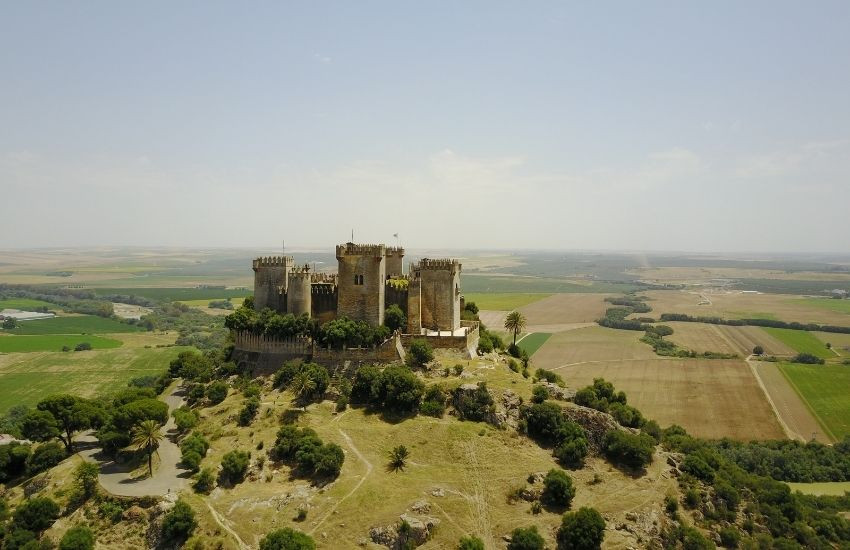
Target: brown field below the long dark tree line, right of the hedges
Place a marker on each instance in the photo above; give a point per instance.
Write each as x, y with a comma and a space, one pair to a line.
702, 337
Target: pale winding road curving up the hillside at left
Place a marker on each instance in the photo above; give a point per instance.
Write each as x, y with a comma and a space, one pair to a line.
167, 477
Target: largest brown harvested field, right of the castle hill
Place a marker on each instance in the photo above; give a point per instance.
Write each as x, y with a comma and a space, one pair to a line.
709, 398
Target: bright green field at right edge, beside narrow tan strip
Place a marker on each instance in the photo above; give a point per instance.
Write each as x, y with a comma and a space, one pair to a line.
826, 391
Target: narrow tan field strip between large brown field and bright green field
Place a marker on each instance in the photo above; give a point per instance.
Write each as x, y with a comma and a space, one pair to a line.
787, 403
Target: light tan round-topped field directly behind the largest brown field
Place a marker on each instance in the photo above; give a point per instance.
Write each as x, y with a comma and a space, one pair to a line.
591, 344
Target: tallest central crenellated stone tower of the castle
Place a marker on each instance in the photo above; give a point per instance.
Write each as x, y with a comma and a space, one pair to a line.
361, 281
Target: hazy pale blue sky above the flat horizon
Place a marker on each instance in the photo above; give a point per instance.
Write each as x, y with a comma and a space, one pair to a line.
705, 126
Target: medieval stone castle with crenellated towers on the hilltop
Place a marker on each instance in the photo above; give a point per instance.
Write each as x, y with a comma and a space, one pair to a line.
369, 278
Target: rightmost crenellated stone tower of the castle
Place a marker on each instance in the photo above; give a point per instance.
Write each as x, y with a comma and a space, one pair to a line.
439, 294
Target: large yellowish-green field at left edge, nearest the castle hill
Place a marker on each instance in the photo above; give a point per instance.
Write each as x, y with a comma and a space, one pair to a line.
88, 374
